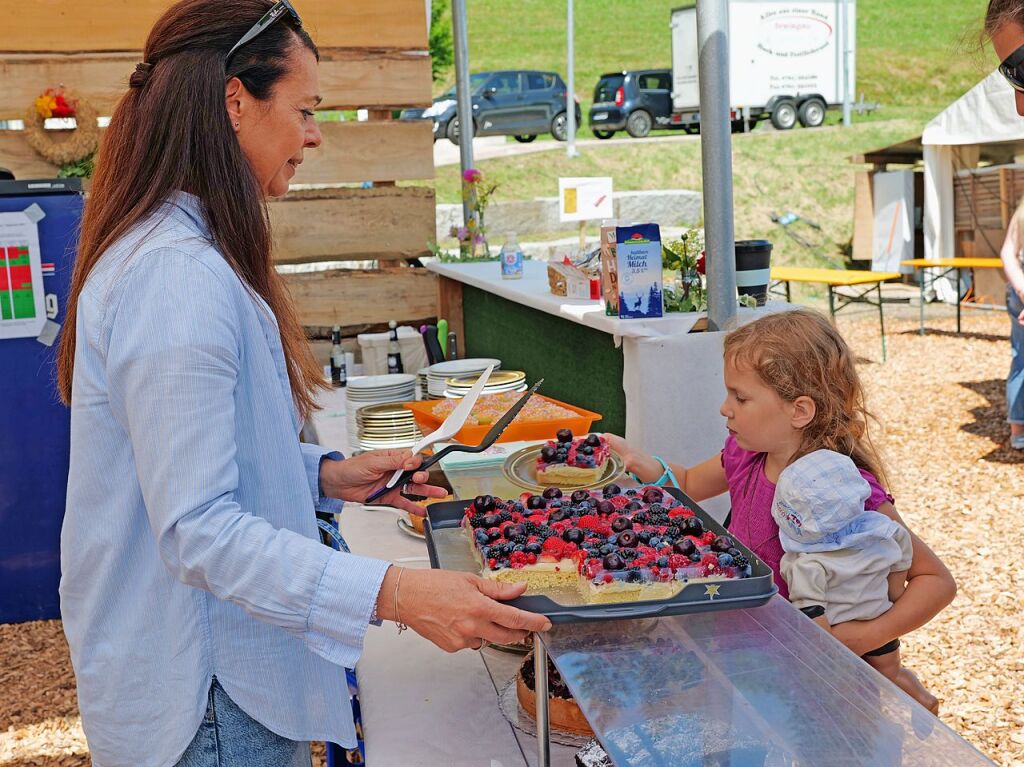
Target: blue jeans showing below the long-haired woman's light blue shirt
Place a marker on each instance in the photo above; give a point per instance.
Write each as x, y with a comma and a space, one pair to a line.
230, 738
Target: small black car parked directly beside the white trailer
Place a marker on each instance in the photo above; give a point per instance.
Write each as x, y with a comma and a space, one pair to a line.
635, 101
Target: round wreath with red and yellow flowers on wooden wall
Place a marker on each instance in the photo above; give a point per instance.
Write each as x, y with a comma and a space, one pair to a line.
62, 147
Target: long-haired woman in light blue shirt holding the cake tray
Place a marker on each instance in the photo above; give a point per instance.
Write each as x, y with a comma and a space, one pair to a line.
205, 620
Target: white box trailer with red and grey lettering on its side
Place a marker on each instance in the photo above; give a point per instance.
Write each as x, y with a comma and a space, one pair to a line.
786, 62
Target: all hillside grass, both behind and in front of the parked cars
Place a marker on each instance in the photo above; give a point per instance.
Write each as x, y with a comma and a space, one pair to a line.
914, 57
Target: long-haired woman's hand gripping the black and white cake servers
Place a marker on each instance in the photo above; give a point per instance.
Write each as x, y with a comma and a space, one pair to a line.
356, 479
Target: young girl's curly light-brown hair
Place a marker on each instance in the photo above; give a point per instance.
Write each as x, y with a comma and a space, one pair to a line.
801, 354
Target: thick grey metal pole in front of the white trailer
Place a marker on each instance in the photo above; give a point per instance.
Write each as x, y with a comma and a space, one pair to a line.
716, 160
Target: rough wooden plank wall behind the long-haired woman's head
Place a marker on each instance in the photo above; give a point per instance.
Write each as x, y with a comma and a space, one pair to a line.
373, 56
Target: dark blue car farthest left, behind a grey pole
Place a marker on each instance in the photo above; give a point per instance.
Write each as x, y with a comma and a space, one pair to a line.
515, 103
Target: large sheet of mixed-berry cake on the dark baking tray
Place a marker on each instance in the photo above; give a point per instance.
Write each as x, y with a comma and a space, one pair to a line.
608, 545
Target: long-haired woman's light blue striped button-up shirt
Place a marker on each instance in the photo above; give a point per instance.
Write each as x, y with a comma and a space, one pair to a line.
190, 546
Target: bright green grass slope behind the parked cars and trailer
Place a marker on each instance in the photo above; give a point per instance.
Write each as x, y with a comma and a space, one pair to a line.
910, 53
